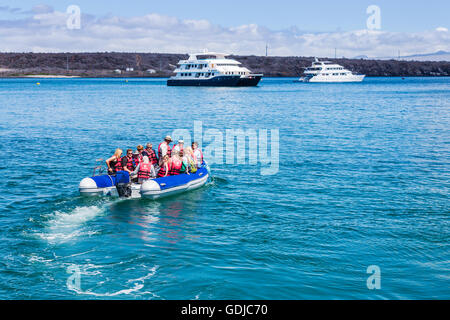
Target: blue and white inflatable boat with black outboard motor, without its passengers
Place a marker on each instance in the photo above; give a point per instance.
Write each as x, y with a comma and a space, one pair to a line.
119, 185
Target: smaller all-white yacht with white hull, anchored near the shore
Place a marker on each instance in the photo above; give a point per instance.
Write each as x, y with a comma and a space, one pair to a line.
326, 71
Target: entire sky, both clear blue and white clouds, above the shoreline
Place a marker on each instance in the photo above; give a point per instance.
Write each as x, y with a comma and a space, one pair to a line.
241, 27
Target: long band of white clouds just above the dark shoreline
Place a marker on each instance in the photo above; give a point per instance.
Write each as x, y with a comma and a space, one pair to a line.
44, 29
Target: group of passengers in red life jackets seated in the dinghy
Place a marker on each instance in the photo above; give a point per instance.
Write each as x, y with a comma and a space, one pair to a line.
144, 164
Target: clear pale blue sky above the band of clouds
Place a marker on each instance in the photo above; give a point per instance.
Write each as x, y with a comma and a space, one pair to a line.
323, 15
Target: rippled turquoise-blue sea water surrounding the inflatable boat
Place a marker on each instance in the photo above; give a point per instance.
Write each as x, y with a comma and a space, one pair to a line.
363, 180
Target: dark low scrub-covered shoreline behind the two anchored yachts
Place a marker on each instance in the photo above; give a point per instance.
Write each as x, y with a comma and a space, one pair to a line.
114, 64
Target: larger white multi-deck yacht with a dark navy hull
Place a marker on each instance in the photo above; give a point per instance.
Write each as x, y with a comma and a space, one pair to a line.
212, 69
